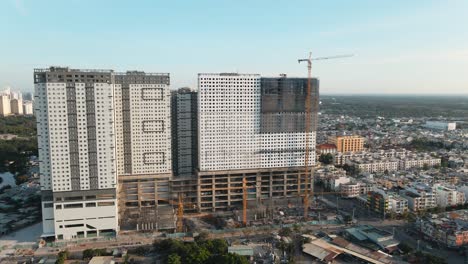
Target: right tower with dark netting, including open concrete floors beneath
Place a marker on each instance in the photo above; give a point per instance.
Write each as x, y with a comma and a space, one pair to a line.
254, 128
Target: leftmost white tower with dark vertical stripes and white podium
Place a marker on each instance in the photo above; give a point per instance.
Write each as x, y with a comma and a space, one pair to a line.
76, 139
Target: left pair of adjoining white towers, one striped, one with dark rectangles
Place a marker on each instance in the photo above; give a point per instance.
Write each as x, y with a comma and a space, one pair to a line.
100, 133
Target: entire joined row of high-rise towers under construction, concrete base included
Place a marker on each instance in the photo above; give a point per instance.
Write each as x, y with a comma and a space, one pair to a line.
115, 156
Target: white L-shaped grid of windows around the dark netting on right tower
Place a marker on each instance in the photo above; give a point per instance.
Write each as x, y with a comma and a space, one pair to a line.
230, 131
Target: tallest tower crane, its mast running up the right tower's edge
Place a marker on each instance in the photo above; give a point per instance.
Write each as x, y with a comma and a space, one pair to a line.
308, 117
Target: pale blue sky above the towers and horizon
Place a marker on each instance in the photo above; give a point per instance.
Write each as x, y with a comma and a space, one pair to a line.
401, 46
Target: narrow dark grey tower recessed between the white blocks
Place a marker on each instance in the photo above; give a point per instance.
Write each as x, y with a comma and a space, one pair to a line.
184, 127
